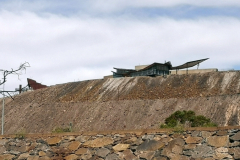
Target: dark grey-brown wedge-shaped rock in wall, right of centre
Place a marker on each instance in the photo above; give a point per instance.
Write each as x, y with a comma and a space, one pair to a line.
150, 145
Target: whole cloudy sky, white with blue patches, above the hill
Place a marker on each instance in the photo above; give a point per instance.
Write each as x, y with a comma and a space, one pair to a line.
76, 40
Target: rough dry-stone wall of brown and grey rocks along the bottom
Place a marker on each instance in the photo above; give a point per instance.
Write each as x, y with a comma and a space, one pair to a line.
192, 144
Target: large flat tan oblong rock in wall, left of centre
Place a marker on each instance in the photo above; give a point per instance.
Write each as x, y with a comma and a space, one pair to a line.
98, 142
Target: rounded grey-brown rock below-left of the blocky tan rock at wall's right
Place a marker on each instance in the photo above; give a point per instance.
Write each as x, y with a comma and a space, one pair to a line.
202, 151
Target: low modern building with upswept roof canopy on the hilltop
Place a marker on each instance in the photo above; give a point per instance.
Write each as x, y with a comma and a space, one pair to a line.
155, 69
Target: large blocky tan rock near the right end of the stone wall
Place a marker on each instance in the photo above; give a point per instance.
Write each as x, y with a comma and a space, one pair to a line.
218, 141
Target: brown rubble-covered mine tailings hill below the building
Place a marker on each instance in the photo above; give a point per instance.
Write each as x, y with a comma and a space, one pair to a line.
125, 103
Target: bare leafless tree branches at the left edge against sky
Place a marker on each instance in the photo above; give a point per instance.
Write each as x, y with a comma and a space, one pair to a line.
17, 72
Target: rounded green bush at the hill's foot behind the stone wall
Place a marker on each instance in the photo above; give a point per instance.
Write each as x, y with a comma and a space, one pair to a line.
183, 117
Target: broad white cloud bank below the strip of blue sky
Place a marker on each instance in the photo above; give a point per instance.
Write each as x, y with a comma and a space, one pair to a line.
62, 49
